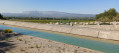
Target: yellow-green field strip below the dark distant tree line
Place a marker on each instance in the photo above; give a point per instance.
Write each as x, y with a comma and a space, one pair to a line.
51, 21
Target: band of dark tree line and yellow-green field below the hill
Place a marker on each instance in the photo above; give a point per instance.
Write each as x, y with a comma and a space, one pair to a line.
51, 19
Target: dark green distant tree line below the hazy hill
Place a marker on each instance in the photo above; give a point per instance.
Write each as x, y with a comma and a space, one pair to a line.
49, 18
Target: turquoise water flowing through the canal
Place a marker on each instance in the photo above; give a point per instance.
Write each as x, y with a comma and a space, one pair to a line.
82, 42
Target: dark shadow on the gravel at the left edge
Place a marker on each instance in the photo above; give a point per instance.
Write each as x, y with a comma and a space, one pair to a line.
7, 45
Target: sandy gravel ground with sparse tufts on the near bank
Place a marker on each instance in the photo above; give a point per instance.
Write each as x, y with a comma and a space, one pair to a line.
29, 44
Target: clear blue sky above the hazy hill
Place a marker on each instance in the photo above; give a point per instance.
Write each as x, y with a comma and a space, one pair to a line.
71, 6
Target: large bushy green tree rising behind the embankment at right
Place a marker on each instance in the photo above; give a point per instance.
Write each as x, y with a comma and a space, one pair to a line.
107, 15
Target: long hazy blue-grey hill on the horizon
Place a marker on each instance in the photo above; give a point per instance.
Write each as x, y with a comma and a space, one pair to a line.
46, 14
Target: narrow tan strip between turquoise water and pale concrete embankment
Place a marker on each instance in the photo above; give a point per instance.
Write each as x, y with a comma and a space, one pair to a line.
69, 34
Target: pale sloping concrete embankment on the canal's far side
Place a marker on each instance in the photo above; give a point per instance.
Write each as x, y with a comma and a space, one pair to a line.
93, 31
